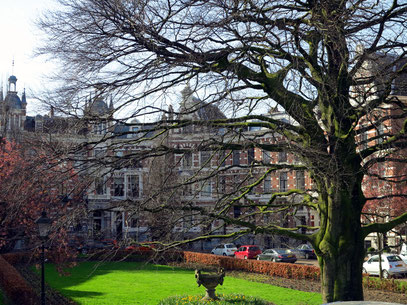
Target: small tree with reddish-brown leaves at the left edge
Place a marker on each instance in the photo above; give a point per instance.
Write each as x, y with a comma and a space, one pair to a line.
28, 187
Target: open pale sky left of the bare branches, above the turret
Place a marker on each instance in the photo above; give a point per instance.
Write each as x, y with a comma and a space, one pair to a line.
18, 38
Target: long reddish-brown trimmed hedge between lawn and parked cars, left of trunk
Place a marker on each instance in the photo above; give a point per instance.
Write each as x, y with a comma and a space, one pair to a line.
274, 269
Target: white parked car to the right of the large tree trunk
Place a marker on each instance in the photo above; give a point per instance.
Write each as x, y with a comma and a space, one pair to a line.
392, 266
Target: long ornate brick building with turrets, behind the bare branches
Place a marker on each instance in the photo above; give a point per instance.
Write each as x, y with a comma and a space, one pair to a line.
114, 191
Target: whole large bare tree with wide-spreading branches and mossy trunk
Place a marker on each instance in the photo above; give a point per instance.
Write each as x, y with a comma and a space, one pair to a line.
336, 68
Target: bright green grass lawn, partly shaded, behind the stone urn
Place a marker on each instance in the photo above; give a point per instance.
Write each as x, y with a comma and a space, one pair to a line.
128, 283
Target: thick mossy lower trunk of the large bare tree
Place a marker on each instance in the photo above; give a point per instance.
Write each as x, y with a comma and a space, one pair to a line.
340, 244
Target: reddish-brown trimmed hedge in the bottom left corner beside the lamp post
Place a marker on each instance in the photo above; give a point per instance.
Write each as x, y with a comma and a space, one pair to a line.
15, 286
